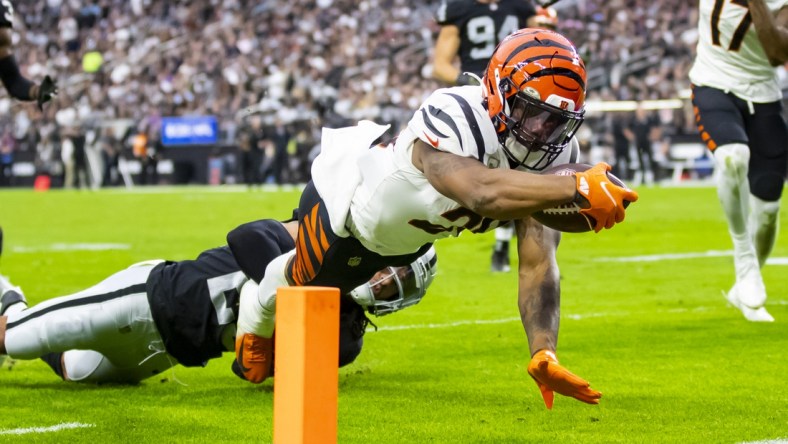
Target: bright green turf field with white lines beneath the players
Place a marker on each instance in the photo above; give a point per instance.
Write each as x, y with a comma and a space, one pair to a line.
675, 363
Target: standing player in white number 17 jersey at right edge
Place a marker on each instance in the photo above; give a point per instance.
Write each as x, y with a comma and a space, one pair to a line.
739, 114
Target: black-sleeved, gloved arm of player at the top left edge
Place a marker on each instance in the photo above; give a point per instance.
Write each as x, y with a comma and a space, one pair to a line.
17, 85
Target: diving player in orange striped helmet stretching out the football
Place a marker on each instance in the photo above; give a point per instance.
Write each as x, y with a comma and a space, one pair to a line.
461, 164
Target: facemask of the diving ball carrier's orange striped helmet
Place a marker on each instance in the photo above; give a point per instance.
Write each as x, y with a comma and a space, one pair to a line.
536, 131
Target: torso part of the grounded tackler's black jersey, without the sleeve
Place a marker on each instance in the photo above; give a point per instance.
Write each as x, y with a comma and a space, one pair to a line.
192, 302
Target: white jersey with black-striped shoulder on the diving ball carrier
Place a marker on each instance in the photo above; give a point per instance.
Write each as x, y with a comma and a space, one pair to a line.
394, 209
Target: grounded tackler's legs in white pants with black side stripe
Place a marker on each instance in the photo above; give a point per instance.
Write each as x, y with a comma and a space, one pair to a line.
110, 324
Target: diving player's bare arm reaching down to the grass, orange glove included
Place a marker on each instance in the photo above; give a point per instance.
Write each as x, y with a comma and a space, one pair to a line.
539, 304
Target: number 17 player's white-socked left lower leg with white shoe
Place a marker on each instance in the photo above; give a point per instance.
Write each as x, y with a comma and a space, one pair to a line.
733, 190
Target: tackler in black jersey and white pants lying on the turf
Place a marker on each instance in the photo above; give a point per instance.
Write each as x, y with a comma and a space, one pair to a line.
154, 315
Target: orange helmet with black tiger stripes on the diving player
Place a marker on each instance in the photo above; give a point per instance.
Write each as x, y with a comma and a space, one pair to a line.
535, 90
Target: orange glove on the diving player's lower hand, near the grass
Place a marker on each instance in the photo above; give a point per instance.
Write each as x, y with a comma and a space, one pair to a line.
551, 377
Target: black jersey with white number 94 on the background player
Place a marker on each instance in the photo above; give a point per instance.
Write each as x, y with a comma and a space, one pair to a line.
482, 26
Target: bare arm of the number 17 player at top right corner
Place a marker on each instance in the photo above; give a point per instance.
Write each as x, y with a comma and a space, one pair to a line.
772, 31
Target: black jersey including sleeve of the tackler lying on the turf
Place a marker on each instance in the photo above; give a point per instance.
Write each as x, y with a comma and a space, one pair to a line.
192, 302
